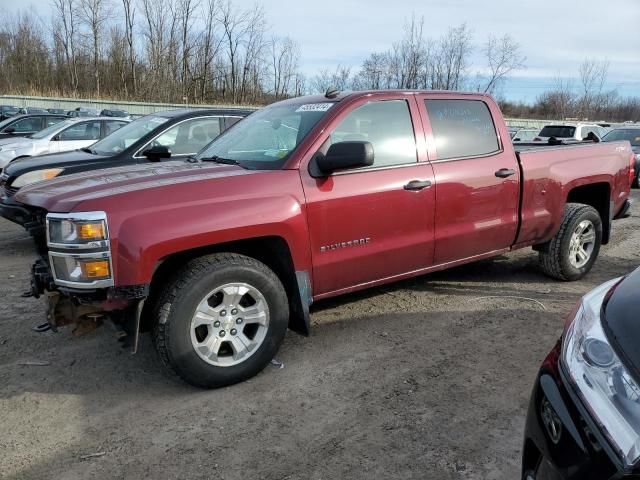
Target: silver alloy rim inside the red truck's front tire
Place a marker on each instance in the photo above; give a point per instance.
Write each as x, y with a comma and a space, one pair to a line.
229, 324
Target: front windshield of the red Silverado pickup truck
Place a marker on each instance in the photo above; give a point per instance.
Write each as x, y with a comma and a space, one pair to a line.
266, 138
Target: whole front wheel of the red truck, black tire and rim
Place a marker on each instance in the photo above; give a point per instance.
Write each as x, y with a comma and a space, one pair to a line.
221, 320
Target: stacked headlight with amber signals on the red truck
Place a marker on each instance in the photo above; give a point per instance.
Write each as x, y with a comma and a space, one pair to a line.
79, 249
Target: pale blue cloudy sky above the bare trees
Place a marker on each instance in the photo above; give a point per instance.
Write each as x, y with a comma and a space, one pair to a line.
555, 36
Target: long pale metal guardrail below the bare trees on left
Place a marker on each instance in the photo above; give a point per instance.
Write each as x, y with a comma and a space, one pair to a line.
138, 108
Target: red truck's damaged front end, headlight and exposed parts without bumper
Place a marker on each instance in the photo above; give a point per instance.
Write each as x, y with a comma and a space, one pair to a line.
75, 277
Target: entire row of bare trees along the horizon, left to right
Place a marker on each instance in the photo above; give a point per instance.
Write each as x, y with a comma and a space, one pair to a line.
210, 51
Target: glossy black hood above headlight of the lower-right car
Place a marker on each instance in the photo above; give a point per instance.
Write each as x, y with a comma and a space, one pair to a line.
621, 320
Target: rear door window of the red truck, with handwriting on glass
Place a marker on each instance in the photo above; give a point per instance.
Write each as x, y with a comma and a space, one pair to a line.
462, 128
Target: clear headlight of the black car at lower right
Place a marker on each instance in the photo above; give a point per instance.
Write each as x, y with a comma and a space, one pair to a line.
607, 389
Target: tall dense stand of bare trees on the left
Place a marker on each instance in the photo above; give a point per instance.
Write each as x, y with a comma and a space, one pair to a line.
196, 51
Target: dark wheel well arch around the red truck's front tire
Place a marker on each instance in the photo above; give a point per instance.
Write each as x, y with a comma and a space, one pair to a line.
273, 251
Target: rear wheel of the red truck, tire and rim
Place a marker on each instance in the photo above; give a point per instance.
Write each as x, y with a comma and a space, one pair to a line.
572, 252
